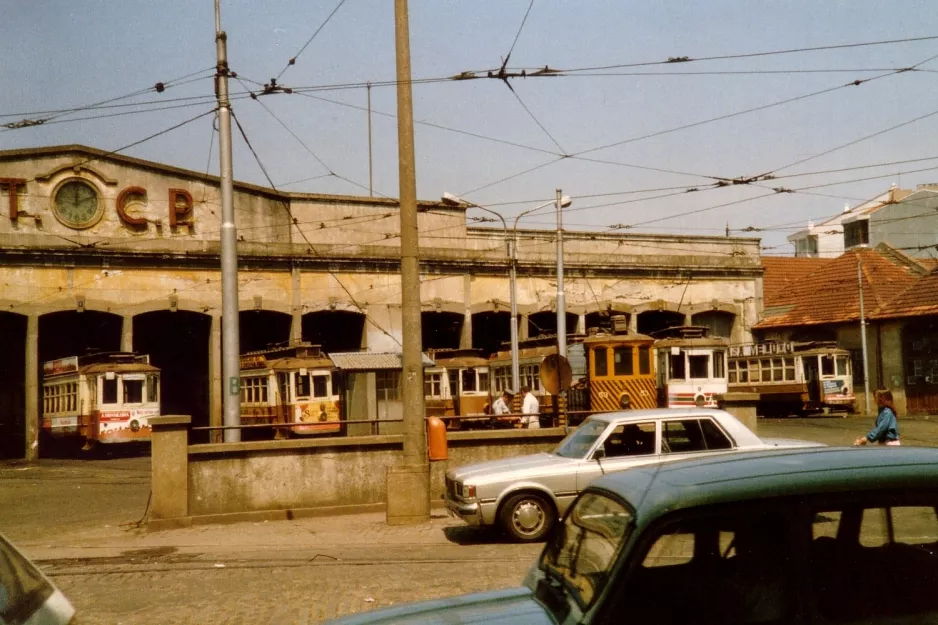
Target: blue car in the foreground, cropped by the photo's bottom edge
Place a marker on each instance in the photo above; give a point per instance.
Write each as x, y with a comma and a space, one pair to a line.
825, 535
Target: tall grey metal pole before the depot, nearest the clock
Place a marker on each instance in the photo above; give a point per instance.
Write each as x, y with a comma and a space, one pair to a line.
231, 374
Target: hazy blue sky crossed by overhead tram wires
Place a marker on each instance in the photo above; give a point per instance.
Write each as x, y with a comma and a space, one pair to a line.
57, 54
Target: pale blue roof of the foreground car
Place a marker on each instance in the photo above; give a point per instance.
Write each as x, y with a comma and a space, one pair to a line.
659, 489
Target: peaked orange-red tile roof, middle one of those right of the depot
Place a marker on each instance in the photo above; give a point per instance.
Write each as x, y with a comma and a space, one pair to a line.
831, 293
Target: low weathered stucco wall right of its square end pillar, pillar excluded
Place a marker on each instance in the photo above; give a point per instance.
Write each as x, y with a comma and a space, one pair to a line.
326, 473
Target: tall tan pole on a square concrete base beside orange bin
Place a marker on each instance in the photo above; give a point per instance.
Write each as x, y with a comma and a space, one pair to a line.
409, 484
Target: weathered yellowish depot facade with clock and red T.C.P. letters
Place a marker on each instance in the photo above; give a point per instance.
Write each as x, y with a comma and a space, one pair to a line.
106, 252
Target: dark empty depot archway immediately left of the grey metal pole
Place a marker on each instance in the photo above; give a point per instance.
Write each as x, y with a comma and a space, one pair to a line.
178, 343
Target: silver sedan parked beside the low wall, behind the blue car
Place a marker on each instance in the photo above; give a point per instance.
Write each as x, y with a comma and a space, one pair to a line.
528, 494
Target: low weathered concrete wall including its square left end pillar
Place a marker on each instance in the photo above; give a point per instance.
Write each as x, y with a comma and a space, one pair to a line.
257, 479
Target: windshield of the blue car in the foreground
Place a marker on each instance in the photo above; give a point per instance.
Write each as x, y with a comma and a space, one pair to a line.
582, 552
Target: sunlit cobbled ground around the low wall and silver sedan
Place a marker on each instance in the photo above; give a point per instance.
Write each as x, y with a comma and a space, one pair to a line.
76, 519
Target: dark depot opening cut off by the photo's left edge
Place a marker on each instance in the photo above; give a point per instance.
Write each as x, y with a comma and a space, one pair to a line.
13, 386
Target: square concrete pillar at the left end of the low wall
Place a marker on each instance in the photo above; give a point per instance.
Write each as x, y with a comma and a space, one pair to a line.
169, 453
